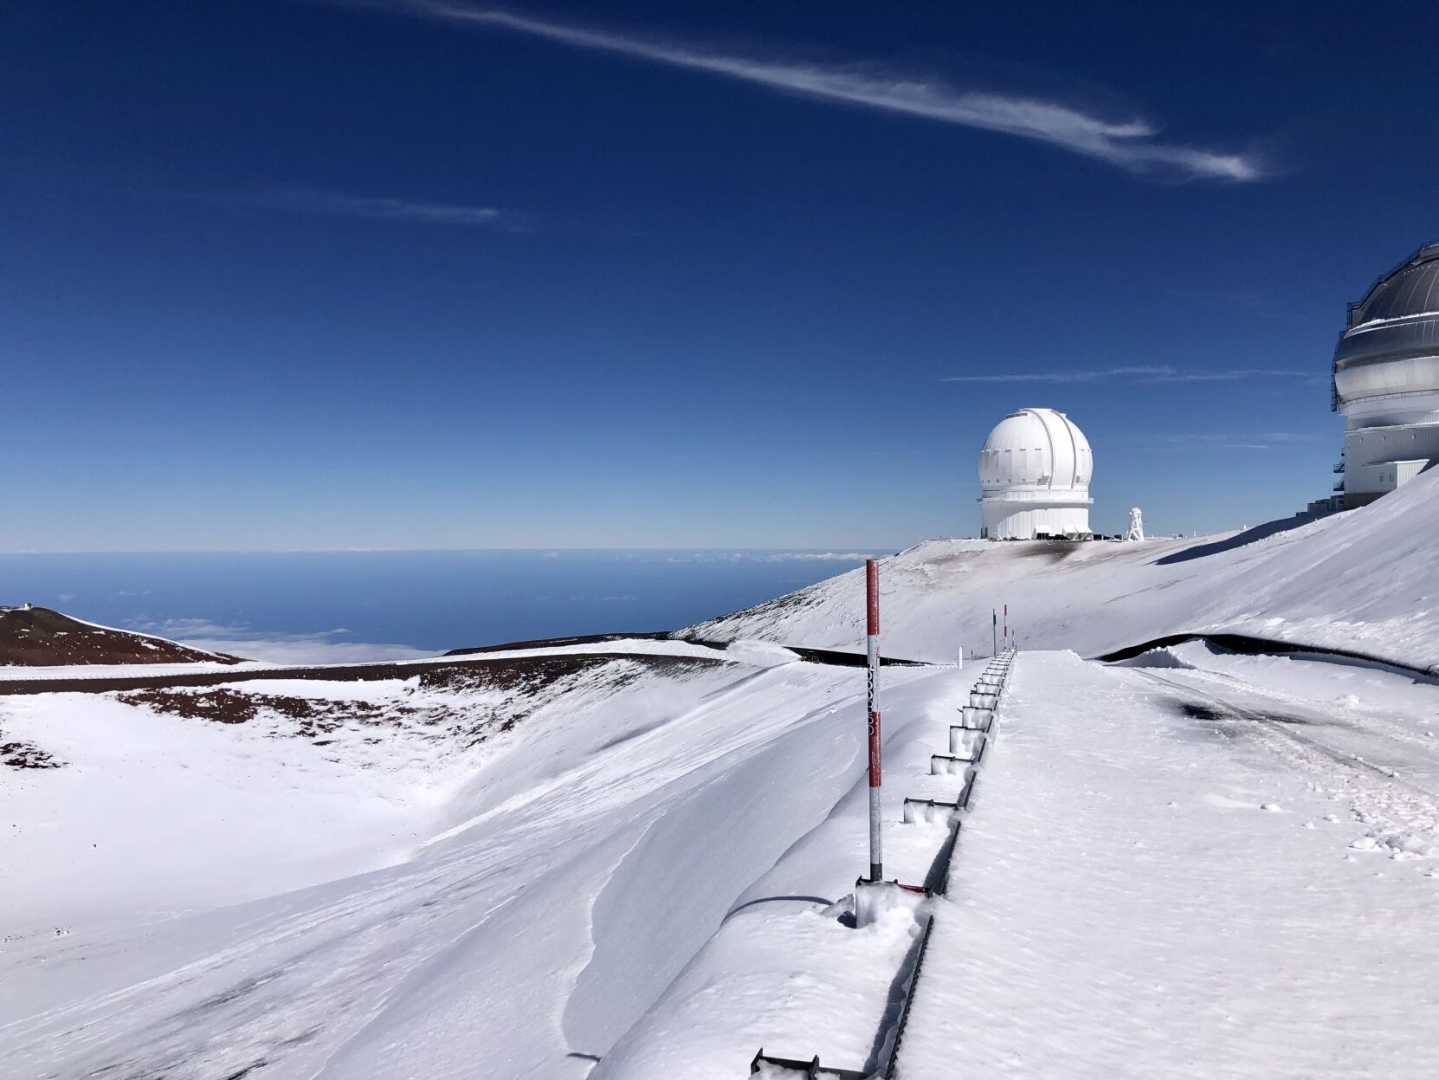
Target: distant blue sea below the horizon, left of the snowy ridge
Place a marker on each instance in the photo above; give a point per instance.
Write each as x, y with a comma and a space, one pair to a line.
356, 606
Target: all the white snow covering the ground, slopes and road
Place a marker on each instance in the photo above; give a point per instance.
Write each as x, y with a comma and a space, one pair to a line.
1192, 864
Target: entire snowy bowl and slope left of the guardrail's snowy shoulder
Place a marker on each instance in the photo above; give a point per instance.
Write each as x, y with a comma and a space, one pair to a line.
337, 879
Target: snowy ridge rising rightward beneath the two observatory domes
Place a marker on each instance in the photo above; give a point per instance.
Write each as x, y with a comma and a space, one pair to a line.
1362, 582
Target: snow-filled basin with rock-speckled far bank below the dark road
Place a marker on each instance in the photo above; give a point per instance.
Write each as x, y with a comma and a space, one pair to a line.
188, 797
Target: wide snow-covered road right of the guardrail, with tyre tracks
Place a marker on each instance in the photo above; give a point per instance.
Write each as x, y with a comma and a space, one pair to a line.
1148, 888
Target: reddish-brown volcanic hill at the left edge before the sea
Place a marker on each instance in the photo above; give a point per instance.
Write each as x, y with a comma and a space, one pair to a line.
41, 638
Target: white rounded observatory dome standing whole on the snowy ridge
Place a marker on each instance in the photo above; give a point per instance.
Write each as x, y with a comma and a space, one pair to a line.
1035, 472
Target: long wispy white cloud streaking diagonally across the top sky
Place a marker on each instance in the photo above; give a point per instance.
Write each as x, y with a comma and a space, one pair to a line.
1129, 143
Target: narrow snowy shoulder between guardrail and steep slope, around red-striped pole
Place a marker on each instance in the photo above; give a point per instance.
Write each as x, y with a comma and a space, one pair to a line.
789, 971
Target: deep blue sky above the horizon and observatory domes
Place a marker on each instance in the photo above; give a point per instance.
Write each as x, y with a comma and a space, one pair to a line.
407, 275
